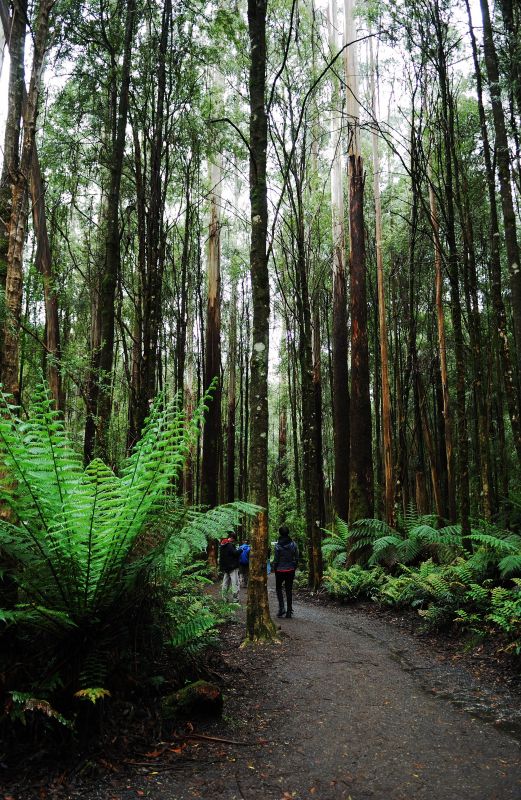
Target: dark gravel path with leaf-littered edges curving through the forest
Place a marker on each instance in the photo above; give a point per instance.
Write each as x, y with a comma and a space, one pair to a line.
348, 705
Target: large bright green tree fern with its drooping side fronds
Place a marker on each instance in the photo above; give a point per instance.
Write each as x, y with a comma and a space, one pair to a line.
88, 549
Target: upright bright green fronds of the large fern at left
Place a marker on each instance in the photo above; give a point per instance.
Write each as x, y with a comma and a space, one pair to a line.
74, 545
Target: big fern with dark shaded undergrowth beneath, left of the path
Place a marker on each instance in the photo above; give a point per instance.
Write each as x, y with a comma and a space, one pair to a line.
102, 576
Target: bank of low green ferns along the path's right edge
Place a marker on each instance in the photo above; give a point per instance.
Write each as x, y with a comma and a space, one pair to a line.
471, 584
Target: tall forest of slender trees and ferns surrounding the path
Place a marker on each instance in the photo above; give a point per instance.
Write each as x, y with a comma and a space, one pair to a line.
259, 266
